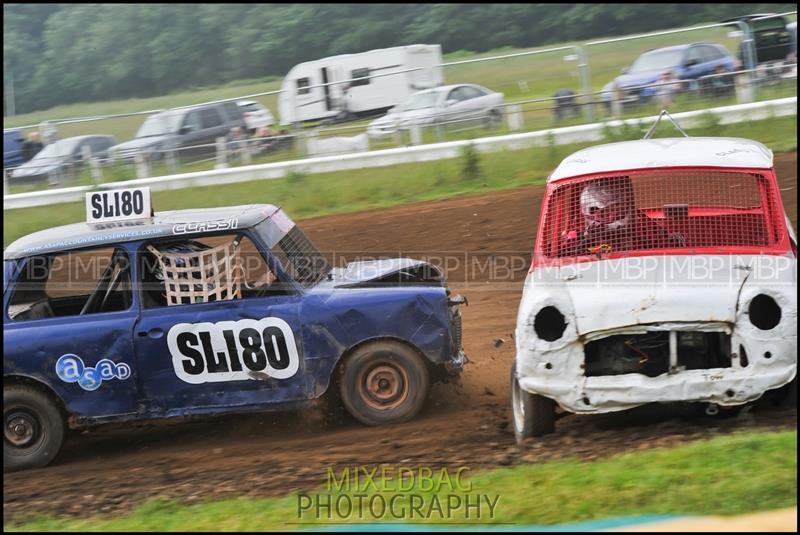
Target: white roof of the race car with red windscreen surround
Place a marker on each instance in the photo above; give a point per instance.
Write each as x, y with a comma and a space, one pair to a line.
665, 152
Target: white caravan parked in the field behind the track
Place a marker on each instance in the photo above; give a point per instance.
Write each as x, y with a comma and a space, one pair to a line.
370, 92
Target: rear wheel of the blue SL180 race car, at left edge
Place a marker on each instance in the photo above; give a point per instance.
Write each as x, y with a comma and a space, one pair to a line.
33, 428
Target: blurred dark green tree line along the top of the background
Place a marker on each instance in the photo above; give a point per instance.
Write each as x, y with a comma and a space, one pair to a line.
64, 53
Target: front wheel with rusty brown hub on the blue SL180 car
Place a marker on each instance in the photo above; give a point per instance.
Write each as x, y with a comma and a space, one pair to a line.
384, 382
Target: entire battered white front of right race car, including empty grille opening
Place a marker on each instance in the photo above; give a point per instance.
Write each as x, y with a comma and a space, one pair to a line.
598, 343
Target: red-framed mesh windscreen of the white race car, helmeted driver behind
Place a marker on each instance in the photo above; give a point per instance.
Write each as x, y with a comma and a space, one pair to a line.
659, 210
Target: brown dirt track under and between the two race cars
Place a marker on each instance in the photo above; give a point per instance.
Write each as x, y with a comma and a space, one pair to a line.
110, 469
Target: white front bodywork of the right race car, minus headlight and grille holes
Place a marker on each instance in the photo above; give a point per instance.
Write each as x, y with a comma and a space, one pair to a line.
635, 295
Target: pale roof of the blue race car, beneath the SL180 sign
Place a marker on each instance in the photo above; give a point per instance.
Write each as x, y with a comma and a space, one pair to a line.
162, 224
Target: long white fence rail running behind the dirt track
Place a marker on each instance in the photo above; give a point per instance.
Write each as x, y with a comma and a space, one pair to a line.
421, 153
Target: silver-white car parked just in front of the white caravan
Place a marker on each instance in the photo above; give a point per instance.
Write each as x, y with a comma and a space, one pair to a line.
449, 103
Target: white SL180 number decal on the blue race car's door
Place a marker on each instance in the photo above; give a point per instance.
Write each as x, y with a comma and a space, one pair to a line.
233, 350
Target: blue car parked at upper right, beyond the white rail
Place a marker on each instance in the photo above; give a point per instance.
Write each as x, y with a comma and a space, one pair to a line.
685, 62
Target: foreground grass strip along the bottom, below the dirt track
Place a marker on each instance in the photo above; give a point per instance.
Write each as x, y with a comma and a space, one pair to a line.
726, 475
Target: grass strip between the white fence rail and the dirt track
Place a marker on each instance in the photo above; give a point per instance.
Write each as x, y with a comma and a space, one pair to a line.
305, 196
